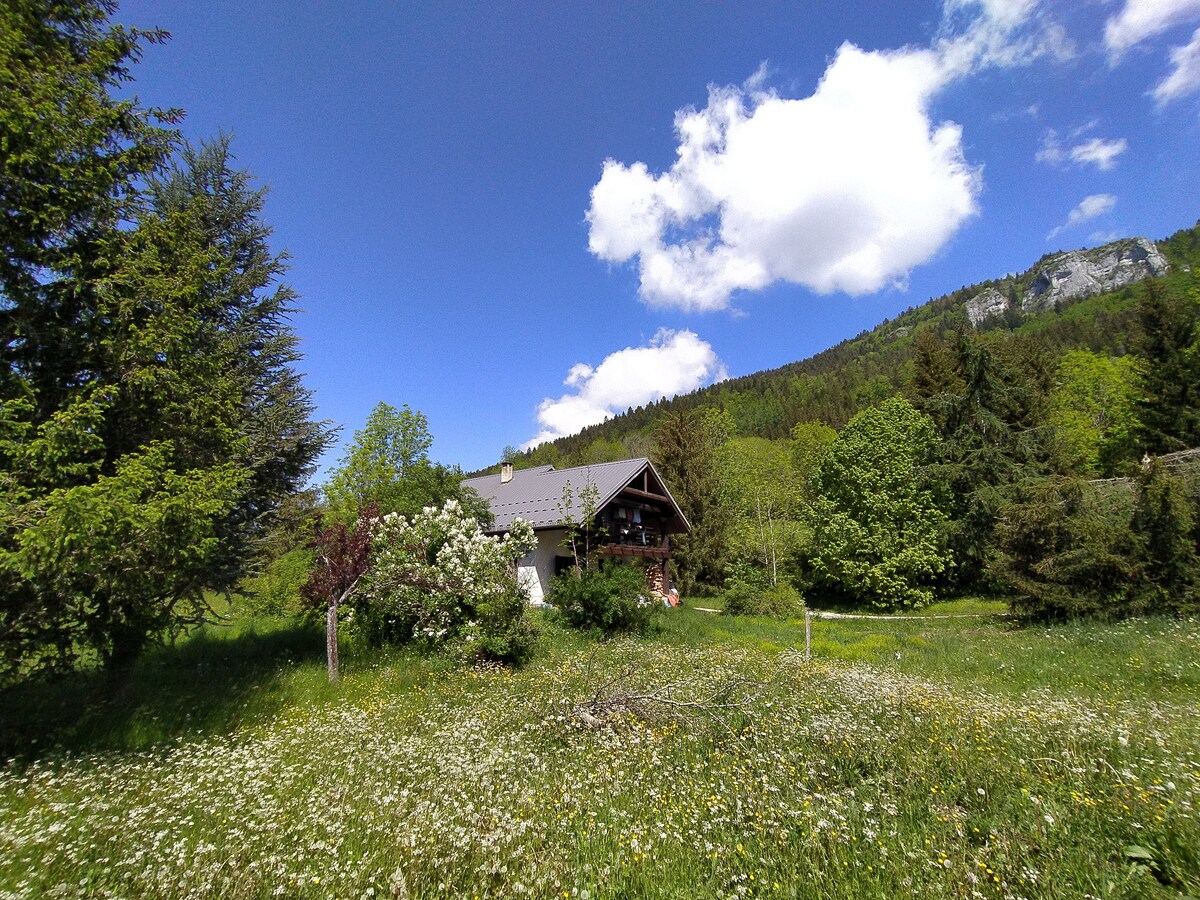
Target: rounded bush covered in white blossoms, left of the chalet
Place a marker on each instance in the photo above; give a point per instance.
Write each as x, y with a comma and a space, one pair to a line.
437, 578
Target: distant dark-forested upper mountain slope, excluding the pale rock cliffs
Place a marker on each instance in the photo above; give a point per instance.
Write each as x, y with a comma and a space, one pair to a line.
863, 370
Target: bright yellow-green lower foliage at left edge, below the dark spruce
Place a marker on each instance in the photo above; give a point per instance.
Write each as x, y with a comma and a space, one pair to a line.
101, 569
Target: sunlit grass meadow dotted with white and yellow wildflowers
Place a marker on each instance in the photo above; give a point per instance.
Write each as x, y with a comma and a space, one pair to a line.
909, 758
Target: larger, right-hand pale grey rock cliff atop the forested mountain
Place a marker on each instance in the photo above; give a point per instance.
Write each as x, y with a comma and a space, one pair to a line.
1083, 273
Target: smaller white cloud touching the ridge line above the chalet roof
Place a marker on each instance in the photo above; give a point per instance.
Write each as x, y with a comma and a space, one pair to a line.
673, 363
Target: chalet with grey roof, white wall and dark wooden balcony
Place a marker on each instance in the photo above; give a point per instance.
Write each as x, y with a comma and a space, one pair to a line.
635, 518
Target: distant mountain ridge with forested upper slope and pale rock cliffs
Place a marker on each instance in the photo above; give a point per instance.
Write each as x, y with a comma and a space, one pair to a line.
1078, 298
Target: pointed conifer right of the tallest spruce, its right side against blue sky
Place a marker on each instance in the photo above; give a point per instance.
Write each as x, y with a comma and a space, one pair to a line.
217, 373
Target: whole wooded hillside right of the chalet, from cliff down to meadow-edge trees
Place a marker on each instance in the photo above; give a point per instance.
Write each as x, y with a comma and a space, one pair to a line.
1034, 436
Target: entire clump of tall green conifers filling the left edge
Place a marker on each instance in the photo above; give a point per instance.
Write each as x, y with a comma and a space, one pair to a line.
151, 416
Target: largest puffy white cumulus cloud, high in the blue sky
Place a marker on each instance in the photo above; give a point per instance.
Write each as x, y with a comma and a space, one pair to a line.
845, 190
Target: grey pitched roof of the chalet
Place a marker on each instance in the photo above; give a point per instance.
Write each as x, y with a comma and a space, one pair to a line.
537, 495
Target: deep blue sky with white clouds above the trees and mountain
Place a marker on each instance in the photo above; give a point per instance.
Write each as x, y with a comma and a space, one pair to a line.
517, 218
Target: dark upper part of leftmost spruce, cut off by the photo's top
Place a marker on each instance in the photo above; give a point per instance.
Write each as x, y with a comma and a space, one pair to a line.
70, 159
